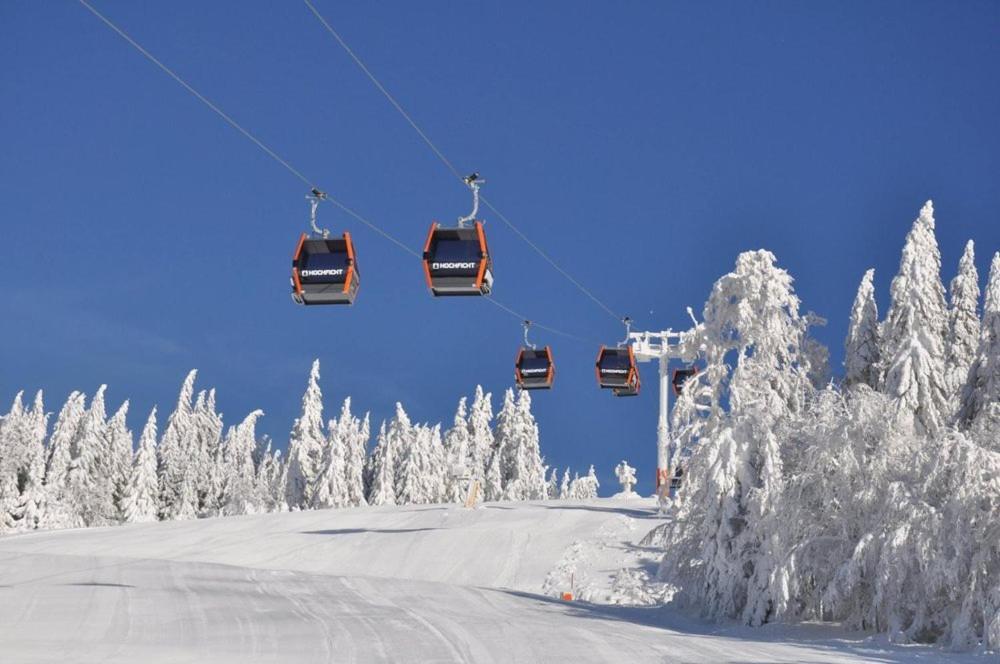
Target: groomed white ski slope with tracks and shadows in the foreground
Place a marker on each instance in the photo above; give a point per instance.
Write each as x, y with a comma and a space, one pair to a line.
426, 583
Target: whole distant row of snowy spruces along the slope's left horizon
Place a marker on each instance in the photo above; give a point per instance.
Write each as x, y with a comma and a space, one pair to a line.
88, 472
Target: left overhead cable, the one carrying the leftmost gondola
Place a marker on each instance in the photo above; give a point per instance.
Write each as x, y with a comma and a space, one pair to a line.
276, 157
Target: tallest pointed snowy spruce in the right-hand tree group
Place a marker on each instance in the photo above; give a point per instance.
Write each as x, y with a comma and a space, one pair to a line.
914, 333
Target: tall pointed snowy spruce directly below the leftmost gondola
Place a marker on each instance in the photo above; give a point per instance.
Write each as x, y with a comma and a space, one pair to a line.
305, 448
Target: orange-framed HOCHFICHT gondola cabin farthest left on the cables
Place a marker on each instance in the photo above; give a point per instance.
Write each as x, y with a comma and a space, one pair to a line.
324, 271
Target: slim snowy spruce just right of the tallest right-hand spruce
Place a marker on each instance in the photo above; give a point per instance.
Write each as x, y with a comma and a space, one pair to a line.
963, 324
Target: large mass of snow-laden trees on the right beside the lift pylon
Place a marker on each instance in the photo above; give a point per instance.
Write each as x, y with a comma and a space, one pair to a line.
875, 502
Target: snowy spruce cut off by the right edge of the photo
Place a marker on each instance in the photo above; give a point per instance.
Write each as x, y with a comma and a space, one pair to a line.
981, 395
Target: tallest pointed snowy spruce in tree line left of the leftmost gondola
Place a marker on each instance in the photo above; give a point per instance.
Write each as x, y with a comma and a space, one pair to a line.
178, 491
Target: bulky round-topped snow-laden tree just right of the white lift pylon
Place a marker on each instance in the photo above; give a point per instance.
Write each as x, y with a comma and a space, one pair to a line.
727, 537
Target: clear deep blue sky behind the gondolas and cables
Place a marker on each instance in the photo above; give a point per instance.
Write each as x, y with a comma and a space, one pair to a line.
642, 144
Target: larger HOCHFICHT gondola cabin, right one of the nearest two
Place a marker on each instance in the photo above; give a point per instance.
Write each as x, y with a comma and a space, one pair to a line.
457, 261
